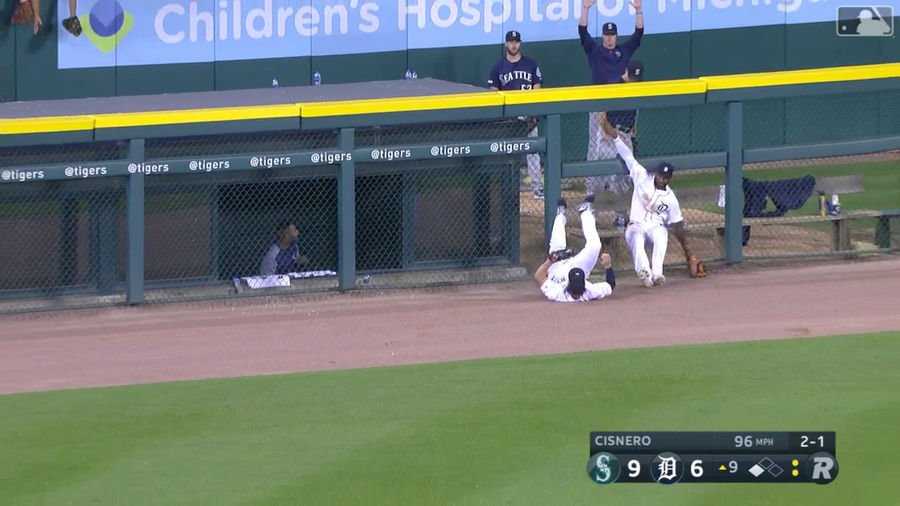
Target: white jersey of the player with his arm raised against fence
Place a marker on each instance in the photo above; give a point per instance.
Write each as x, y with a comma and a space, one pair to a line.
649, 205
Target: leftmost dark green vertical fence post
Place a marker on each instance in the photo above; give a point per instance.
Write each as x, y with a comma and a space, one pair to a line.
134, 227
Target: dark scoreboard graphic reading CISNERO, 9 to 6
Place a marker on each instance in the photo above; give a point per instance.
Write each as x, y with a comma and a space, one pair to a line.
712, 457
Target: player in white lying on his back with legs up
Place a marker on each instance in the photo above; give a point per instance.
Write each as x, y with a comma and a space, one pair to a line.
562, 276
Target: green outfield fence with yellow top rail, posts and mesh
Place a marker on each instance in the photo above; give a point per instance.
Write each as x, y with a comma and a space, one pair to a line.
174, 205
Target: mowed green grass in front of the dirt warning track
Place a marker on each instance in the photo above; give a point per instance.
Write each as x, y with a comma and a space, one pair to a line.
507, 431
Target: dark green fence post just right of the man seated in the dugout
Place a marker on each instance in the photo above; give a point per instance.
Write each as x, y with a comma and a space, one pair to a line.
346, 213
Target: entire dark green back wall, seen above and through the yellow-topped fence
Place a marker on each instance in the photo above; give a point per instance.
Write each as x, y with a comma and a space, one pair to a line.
28, 72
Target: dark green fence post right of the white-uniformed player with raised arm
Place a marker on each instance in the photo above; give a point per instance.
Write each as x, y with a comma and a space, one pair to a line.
734, 186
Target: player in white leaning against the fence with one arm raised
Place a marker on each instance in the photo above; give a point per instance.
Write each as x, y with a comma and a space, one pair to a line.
654, 209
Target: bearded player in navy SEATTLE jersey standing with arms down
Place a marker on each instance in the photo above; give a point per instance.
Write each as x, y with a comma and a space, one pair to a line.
516, 71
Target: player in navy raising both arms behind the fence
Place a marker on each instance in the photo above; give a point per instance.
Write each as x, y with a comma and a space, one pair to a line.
608, 62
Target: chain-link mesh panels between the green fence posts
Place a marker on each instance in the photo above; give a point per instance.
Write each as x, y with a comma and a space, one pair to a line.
430, 208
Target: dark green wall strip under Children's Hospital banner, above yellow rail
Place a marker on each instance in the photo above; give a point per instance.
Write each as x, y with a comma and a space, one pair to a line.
28, 62
